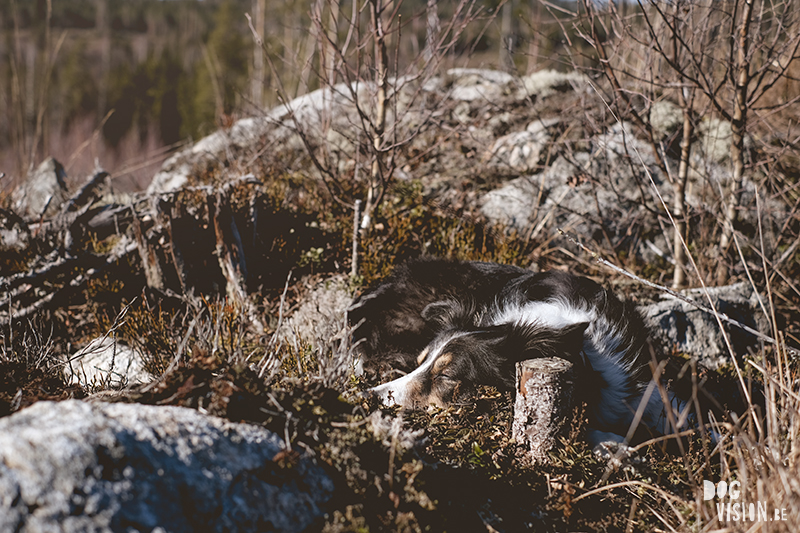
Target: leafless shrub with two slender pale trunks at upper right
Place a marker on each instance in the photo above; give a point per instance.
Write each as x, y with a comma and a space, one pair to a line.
710, 60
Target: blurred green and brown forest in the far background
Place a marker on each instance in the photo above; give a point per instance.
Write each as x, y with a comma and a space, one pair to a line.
126, 82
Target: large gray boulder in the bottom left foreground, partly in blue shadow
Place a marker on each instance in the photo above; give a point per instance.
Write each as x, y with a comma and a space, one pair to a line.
77, 466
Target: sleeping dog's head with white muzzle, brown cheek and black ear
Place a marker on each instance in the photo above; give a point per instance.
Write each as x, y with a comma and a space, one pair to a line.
460, 358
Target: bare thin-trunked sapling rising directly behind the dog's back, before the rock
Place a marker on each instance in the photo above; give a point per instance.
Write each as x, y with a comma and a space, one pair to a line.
369, 106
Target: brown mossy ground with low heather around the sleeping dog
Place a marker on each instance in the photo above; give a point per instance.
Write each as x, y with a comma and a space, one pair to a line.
463, 473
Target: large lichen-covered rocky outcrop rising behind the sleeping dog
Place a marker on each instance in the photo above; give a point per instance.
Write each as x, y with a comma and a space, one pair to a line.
532, 153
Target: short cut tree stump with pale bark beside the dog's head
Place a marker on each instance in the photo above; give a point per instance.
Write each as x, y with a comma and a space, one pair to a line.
543, 404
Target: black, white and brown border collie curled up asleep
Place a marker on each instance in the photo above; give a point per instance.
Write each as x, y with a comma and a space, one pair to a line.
452, 325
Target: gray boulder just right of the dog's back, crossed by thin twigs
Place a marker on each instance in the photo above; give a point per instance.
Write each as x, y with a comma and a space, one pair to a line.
683, 327
